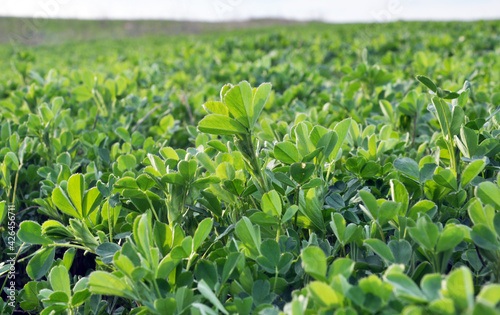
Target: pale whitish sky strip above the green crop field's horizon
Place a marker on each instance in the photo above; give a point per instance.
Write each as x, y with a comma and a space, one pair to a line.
336, 11
